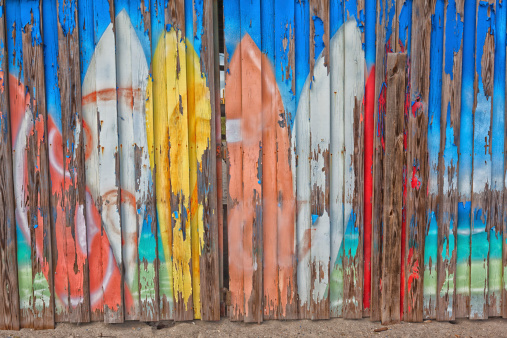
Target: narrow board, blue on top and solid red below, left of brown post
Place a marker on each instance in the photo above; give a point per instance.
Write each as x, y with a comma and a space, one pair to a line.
369, 103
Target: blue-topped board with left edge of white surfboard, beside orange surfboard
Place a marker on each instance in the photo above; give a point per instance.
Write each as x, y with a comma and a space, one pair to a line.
303, 157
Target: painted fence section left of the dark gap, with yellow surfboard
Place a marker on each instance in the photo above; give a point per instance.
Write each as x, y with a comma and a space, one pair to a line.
105, 99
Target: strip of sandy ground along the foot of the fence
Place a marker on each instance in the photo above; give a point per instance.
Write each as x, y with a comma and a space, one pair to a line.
226, 328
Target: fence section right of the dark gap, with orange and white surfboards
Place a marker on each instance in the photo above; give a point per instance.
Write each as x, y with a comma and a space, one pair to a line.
365, 145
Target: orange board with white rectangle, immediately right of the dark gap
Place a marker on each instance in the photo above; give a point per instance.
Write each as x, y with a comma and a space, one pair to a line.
233, 101
